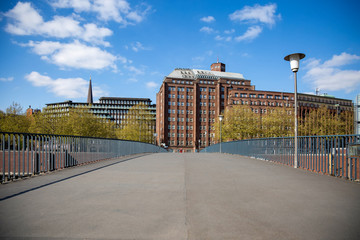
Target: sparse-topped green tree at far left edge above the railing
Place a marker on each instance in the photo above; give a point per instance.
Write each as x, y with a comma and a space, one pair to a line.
14, 120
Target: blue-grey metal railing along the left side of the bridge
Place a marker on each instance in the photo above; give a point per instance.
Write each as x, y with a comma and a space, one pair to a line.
25, 154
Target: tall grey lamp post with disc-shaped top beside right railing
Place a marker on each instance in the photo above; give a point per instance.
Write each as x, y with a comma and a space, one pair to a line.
294, 60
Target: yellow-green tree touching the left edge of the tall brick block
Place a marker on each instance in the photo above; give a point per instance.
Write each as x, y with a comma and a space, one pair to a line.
139, 125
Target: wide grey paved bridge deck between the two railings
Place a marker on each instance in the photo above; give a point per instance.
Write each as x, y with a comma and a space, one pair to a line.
181, 196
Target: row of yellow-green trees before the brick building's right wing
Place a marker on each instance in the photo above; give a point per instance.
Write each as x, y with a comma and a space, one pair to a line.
240, 122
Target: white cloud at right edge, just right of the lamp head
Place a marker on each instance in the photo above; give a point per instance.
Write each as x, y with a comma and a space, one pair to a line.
328, 75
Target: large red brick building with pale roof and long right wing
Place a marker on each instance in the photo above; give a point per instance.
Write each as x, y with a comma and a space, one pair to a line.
190, 100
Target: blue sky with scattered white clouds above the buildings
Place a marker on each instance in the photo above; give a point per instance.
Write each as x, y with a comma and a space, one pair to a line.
50, 48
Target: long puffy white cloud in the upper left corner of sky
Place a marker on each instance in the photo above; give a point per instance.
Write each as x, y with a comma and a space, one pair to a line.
25, 20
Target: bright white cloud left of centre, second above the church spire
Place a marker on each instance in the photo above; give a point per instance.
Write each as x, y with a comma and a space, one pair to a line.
74, 55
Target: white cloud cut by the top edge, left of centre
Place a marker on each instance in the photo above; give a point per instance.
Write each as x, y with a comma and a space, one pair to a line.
110, 10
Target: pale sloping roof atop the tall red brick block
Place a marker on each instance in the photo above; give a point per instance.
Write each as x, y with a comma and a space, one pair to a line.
187, 73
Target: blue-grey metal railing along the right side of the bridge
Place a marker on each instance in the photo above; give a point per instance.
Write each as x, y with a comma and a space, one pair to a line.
323, 154
